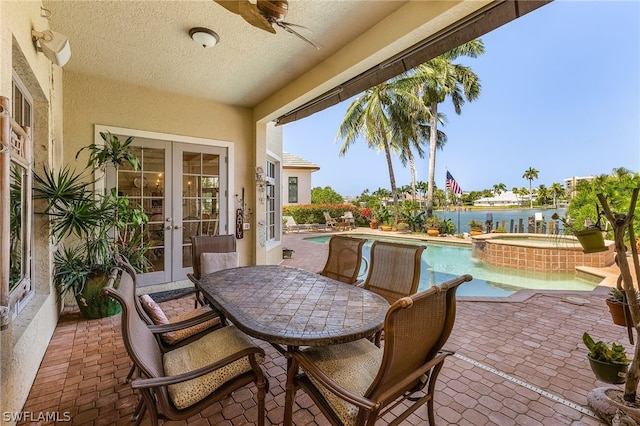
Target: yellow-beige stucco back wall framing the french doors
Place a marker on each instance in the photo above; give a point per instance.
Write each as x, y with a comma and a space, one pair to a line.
89, 101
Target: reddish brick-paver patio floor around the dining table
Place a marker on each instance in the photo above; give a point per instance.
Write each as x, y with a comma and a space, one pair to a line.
519, 361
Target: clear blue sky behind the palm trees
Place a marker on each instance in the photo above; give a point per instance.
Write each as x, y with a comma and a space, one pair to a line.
560, 93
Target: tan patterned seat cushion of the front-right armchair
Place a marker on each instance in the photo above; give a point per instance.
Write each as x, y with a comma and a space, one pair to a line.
353, 365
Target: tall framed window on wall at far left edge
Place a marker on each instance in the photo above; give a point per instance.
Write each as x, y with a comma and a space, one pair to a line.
19, 288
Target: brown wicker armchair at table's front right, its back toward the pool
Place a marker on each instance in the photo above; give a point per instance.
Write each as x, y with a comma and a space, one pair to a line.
357, 383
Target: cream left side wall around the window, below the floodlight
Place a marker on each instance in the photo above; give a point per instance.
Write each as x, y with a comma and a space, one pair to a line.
24, 341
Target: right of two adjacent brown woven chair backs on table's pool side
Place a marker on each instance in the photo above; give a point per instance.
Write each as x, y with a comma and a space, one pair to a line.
394, 269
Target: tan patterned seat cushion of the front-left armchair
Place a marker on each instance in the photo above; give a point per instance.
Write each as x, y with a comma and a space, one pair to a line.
211, 348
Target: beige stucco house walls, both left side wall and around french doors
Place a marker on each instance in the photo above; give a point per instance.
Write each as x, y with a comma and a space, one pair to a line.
88, 101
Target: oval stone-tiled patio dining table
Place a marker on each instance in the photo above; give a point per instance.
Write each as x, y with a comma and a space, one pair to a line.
292, 307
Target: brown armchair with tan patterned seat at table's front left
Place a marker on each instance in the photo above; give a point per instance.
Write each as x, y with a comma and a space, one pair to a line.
187, 380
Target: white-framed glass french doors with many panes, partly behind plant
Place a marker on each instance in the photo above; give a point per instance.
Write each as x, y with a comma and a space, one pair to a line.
182, 189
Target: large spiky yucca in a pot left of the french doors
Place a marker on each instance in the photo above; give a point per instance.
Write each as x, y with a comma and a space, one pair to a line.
90, 228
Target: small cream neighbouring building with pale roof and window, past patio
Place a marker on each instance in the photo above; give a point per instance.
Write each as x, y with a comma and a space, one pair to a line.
296, 177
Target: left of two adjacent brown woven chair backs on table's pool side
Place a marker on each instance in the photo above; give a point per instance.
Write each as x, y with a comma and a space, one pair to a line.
345, 259
